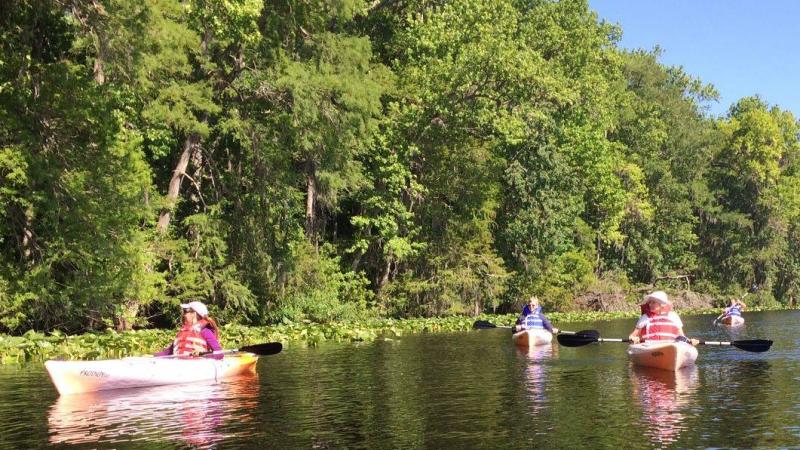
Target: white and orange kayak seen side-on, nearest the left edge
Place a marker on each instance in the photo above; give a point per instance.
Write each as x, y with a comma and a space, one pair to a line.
73, 377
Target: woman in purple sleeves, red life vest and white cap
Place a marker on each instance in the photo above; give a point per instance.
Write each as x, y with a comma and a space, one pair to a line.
199, 334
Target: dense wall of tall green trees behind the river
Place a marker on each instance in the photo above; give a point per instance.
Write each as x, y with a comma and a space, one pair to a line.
331, 160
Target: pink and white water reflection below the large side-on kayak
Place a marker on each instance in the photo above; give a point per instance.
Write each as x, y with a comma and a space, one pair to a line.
194, 413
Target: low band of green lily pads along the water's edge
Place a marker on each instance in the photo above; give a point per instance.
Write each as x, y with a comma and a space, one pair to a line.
33, 347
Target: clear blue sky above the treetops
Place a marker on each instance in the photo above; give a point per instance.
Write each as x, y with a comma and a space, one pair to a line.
742, 47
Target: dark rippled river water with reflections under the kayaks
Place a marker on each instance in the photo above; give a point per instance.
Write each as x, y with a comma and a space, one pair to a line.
459, 390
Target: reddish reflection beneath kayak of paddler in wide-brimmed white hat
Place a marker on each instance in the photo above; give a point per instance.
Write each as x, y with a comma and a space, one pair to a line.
663, 396
